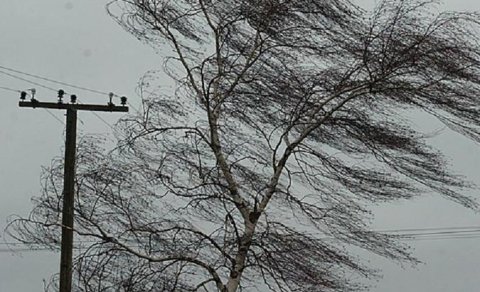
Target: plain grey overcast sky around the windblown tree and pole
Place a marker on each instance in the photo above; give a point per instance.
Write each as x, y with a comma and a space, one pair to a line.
76, 42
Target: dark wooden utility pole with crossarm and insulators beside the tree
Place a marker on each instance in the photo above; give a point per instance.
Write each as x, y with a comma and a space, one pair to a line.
69, 170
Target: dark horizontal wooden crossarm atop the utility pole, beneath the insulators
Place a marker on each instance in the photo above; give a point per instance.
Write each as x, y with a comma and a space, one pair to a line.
74, 106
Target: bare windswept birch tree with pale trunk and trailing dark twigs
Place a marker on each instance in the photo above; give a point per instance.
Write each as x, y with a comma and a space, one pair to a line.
289, 119
